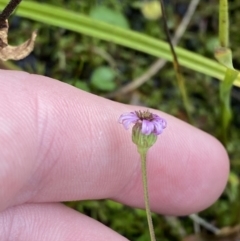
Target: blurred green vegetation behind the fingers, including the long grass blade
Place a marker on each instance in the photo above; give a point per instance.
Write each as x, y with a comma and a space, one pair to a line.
79, 49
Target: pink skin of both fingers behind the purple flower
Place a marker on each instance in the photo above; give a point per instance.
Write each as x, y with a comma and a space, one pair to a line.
59, 143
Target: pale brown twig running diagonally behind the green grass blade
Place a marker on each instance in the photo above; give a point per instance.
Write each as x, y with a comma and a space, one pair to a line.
160, 63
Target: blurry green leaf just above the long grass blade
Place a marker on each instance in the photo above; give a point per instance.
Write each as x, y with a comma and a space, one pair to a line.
110, 16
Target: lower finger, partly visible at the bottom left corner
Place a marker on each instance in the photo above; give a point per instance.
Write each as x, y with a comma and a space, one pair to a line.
52, 222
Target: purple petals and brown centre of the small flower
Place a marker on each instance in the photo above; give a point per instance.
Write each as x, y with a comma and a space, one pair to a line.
148, 122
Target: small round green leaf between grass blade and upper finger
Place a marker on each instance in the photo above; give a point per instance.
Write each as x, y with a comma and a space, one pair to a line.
103, 78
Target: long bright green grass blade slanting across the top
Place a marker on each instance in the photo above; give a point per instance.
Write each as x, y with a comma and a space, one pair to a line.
63, 18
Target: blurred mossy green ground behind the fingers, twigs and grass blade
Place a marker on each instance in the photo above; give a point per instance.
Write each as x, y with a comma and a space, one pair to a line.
103, 68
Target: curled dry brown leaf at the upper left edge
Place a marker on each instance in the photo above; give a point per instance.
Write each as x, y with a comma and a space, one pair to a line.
14, 52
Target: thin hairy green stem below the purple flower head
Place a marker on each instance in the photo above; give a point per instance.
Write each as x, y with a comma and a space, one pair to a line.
143, 154
